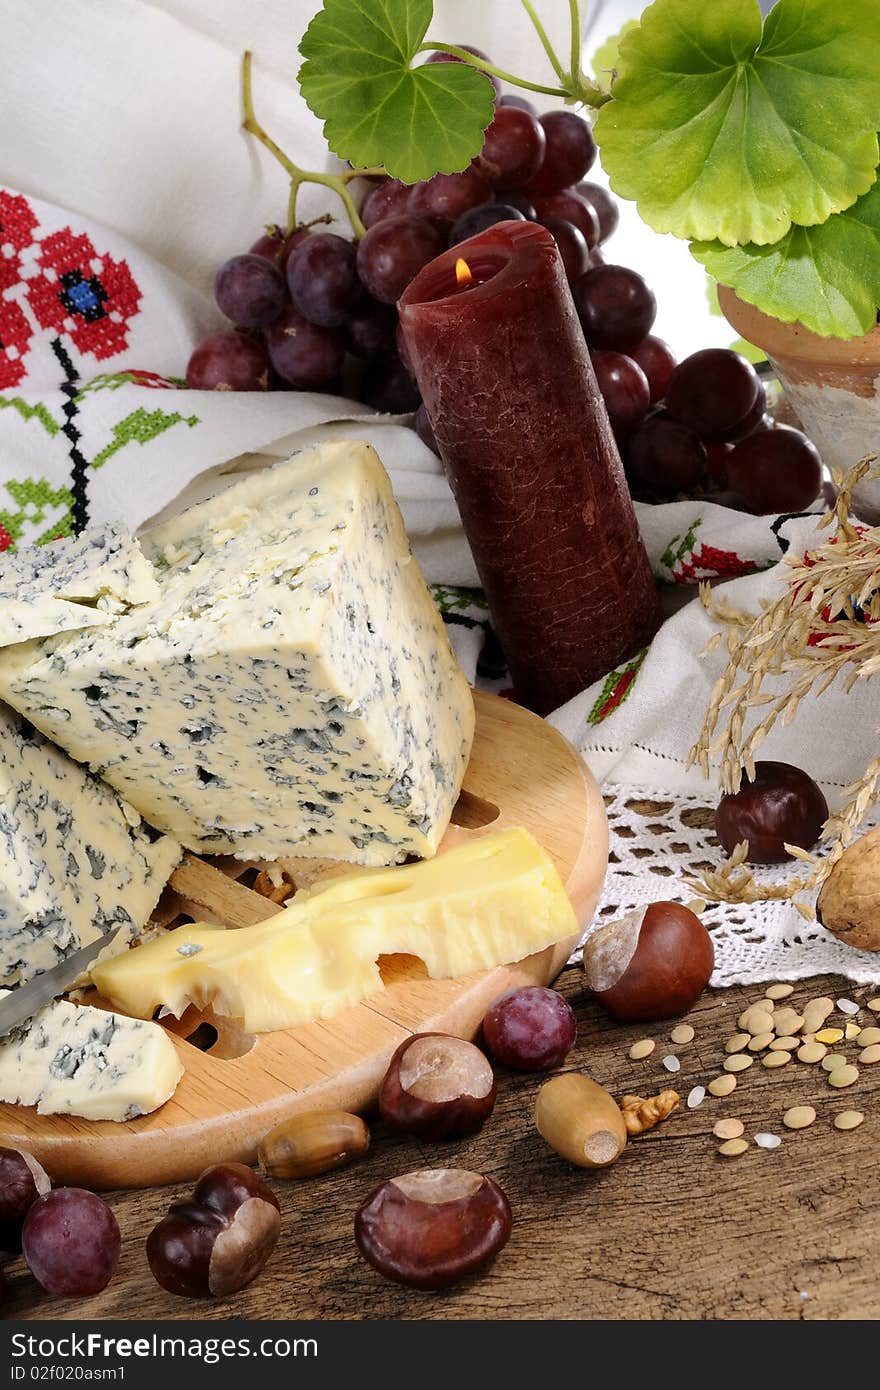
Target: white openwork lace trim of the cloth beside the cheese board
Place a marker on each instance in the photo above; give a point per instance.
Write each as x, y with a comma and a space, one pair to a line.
657, 840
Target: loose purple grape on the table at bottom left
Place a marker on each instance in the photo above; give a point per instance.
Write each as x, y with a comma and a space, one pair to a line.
72, 1243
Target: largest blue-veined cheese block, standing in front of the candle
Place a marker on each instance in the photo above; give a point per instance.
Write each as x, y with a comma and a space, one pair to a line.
291, 692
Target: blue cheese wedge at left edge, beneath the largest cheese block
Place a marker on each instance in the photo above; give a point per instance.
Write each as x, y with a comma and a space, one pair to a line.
76, 861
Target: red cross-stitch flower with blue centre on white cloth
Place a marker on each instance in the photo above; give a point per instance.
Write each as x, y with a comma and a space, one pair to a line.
91, 298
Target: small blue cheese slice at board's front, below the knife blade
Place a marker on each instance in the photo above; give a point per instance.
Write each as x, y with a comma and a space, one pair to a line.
73, 1060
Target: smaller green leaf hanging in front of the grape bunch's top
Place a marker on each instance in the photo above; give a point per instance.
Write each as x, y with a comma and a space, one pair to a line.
380, 111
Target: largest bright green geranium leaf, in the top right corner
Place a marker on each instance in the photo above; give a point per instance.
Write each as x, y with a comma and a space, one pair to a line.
724, 131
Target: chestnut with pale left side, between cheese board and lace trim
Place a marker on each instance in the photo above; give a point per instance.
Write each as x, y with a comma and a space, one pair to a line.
651, 964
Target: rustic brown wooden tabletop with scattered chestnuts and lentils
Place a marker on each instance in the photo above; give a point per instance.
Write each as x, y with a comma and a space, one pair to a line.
672, 1231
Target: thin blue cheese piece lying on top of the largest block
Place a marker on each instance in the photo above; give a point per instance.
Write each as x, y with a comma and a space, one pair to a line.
73, 584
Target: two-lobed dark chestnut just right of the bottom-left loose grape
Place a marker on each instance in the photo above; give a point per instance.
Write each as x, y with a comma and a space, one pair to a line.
220, 1239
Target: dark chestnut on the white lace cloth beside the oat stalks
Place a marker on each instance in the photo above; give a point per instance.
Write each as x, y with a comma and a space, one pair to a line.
781, 806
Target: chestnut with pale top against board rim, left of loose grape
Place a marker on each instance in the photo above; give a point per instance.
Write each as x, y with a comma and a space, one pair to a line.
437, 1088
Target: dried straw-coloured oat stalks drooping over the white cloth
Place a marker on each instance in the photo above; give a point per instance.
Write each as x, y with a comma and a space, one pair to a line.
818, 630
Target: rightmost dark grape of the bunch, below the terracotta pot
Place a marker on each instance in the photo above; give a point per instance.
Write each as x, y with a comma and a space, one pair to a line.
776, 471
